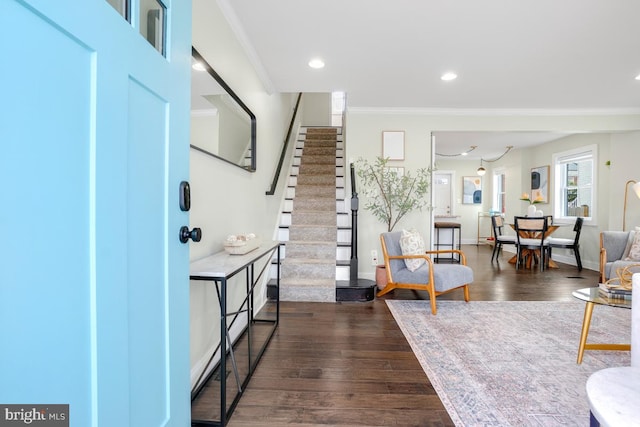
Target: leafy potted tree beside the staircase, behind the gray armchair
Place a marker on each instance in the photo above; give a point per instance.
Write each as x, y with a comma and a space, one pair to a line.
390, 195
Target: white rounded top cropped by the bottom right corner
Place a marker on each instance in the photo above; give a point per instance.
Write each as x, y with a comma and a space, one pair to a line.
614, 396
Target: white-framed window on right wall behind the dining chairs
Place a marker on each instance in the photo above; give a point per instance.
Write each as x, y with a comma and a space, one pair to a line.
575, 178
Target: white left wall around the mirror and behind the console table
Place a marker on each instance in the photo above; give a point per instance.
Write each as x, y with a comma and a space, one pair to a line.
227, 199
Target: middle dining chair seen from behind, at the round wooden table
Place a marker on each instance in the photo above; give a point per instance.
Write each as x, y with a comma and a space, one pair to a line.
530, 242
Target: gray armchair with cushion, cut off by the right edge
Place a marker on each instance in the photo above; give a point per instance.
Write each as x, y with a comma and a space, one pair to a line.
615, 247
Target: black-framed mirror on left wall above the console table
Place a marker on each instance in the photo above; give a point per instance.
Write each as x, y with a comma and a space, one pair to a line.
222, 126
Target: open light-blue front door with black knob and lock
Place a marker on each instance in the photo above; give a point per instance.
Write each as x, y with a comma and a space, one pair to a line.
94, 131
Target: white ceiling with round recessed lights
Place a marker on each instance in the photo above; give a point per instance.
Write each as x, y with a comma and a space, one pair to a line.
552, 55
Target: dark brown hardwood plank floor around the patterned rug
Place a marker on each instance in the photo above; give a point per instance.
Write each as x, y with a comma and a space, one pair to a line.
348, 364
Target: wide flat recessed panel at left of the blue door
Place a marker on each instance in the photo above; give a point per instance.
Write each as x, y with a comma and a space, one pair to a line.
45, 276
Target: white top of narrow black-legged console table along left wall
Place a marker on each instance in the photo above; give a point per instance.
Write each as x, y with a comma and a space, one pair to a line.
223, 265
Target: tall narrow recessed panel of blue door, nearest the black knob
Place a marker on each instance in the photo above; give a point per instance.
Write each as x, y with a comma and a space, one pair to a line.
146, 246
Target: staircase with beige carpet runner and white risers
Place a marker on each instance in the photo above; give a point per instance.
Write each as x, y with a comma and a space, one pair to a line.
315, 224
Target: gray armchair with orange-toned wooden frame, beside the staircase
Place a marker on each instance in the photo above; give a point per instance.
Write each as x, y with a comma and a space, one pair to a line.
436, 279
